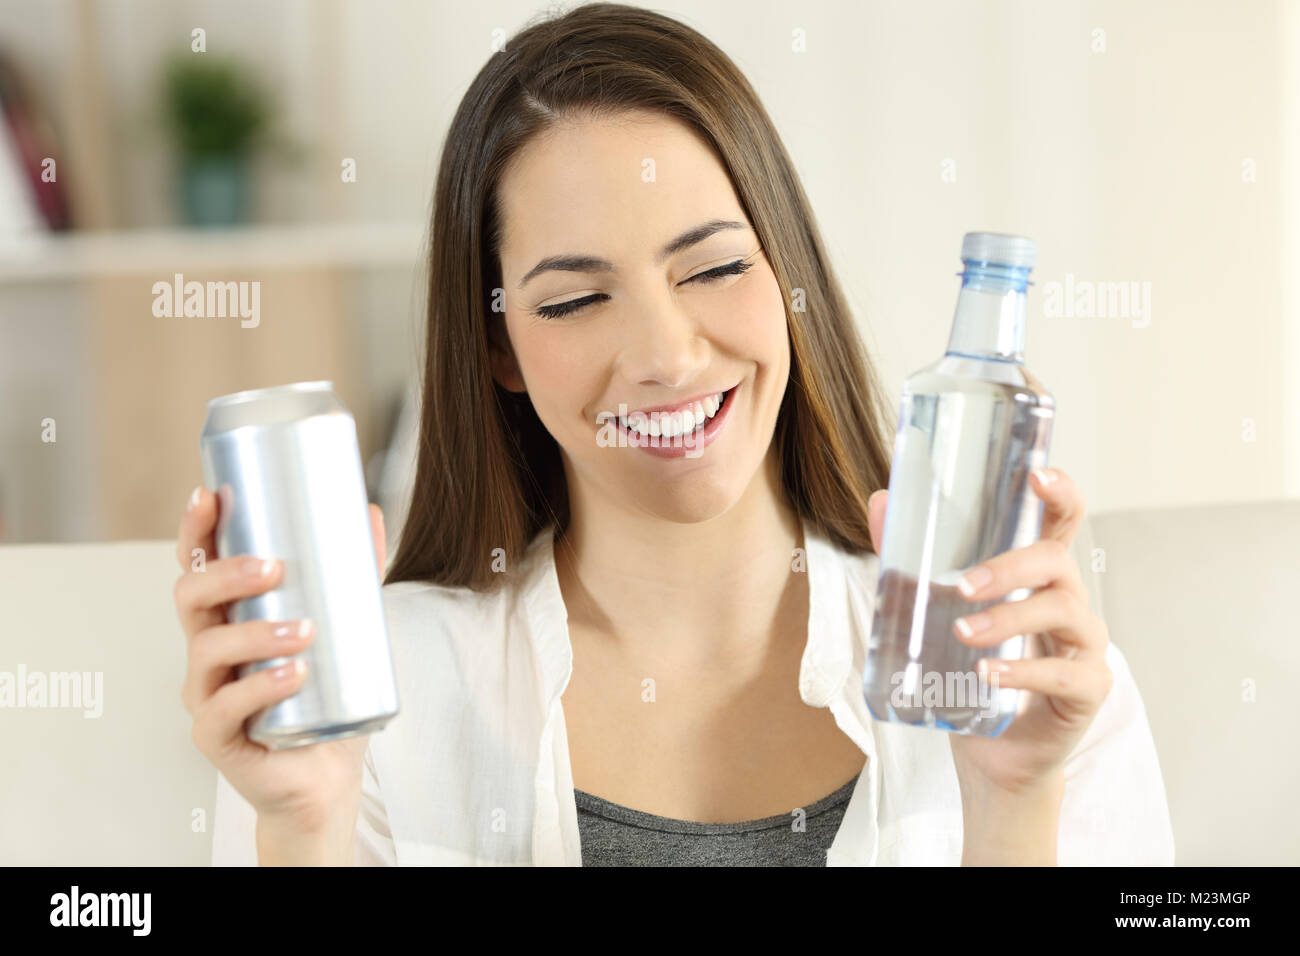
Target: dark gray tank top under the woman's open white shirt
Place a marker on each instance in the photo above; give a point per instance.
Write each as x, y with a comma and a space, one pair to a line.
614, 836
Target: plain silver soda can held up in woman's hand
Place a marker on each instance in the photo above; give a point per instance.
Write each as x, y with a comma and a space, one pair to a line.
288, 471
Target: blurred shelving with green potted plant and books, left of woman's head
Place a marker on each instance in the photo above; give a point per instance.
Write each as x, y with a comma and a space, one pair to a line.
218, 142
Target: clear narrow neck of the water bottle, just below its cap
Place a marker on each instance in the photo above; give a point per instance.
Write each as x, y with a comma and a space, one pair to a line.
990, 318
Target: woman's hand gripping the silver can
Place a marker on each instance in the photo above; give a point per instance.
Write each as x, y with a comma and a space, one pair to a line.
304, 793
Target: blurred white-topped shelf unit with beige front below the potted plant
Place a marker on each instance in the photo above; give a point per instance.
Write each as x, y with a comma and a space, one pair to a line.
127, 390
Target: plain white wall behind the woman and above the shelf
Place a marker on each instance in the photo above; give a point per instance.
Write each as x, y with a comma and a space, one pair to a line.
1125, 166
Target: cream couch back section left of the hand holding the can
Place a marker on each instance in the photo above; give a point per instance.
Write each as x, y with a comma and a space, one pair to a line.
127, 788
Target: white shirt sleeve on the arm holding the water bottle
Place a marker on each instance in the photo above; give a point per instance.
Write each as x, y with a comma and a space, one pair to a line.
1115, 812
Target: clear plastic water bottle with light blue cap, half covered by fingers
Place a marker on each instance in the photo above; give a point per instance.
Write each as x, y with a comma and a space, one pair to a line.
970, 430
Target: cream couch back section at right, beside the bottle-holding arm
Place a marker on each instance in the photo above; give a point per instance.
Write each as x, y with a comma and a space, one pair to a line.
1198, 600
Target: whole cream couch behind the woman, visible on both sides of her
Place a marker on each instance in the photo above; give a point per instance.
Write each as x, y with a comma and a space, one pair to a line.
1195, 598
